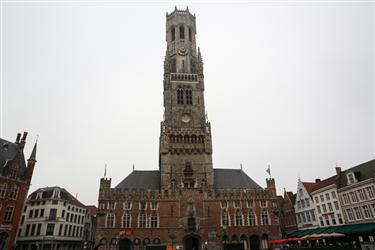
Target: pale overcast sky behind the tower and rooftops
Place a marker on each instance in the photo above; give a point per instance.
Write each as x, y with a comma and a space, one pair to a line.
290, 84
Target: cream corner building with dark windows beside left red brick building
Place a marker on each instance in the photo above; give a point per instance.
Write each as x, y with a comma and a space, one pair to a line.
52, 219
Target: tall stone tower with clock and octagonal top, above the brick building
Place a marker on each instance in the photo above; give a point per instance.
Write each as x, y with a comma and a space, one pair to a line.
185, 137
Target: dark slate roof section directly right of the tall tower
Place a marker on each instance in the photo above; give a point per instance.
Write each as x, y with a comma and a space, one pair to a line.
233, 178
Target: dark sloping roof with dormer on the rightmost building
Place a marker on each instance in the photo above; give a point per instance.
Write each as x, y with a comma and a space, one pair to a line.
362, 172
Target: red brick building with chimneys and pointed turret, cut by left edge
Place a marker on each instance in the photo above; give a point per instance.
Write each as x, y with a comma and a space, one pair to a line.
15, 178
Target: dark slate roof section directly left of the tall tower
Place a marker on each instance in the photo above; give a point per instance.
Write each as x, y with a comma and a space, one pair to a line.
141, 179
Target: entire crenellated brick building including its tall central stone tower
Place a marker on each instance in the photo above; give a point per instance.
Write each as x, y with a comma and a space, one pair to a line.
186, 203
